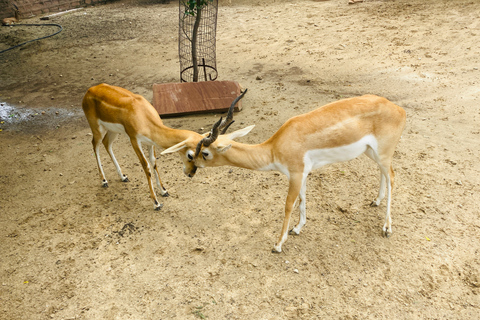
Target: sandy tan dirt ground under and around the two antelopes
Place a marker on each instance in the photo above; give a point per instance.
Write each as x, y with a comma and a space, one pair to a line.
71, 249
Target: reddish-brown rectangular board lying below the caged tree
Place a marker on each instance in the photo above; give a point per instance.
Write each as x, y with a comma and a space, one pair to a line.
173, 99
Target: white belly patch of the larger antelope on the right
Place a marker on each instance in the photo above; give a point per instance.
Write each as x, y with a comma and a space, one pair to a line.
317, 158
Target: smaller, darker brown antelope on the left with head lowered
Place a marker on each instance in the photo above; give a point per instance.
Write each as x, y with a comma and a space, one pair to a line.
112, 110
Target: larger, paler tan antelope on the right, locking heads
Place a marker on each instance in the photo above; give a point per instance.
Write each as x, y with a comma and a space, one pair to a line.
336, 132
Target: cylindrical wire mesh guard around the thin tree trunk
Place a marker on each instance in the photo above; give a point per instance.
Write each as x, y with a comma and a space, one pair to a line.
196, 40
